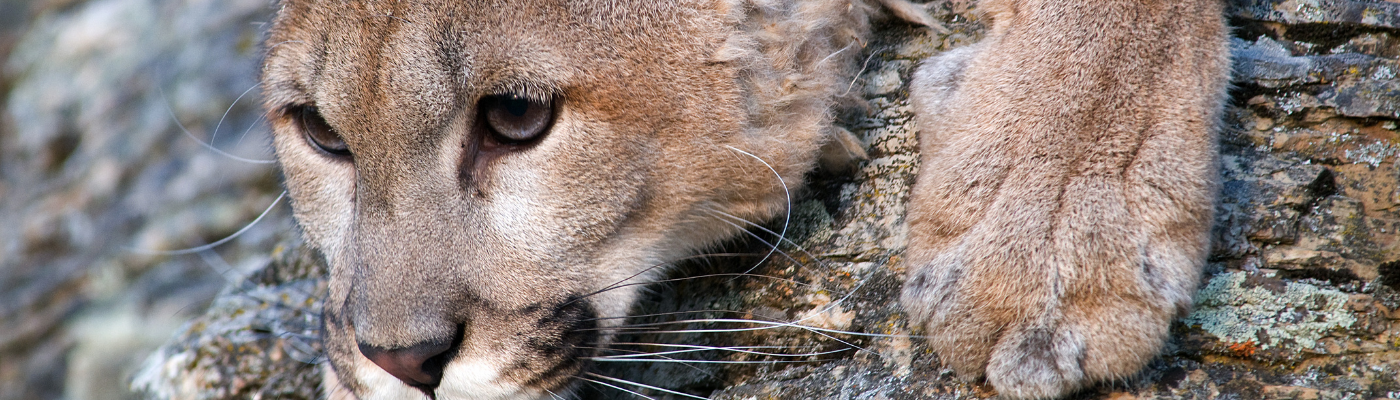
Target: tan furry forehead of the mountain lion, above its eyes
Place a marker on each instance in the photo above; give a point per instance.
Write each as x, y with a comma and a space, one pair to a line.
332, 52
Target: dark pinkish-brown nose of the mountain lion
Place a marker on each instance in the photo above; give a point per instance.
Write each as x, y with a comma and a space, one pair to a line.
419, 366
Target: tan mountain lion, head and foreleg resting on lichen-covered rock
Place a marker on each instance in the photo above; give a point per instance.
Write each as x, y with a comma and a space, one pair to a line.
481, 176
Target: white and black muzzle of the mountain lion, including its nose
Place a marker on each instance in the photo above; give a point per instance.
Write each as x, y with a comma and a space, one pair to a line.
540, 352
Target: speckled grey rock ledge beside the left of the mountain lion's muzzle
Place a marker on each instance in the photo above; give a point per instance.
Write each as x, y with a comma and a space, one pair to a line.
258, 341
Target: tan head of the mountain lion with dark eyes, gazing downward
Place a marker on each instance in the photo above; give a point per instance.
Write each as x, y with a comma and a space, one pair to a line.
479, 174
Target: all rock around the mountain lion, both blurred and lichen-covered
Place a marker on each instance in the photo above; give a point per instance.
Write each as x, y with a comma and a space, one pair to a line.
1301, 299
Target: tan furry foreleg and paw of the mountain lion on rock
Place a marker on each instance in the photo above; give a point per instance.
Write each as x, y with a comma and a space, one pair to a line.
1067, 178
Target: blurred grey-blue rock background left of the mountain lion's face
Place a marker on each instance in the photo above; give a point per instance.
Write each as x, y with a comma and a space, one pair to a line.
97, 173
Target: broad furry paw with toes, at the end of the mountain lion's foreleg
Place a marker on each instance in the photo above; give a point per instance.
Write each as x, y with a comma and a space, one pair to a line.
1041, 321
